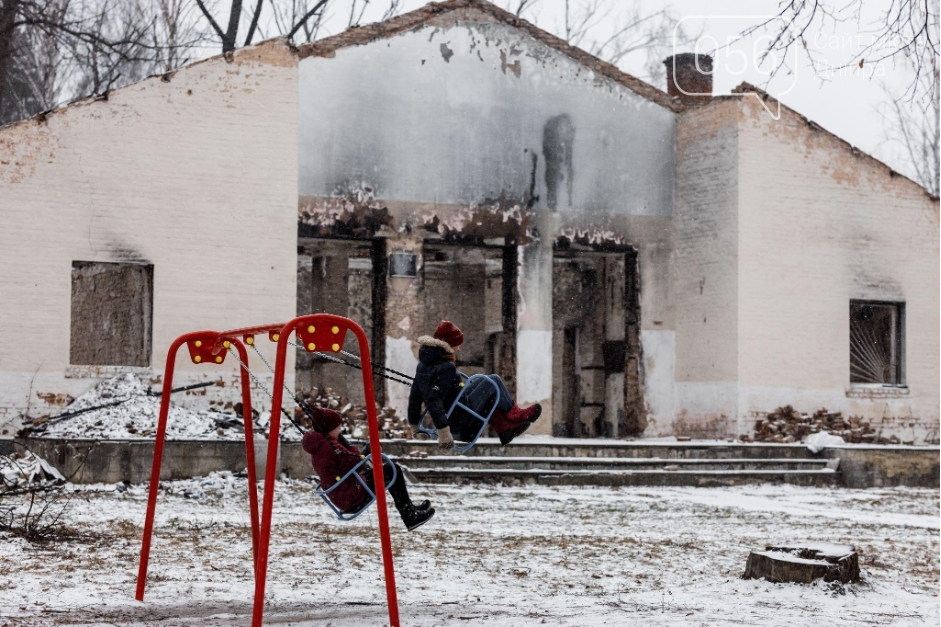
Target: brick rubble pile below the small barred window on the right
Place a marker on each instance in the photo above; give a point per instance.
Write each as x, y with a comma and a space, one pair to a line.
786, 425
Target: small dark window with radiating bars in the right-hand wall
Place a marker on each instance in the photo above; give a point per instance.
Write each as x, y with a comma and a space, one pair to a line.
877, 343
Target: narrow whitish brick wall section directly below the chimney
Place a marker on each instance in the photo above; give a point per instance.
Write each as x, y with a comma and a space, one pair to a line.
705, 279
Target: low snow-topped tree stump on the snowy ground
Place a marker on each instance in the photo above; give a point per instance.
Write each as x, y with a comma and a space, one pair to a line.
804, 563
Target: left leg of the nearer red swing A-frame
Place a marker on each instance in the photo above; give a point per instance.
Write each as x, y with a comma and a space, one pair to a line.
261, 568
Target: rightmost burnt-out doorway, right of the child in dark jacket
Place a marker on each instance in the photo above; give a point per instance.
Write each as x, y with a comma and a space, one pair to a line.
596, 345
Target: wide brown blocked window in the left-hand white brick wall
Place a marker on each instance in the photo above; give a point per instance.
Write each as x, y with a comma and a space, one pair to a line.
112, 311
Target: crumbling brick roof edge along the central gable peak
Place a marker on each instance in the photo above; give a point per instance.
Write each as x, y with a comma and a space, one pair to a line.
362, 35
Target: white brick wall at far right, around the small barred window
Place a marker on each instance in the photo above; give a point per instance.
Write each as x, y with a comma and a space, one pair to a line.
819, 226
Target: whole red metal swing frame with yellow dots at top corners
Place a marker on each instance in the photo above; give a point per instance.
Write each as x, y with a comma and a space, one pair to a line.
322, 332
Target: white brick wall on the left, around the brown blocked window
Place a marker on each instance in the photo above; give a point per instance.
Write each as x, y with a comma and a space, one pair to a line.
196, 175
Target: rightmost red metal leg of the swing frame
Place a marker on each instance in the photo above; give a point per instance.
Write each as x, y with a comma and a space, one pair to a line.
376, 451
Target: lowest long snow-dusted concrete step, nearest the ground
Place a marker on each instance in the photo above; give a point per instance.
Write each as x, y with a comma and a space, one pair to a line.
660, 477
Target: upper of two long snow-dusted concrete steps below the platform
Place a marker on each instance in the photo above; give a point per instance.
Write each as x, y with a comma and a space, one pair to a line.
611, 463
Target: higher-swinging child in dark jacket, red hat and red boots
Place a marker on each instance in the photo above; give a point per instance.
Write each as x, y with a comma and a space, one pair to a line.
437, 384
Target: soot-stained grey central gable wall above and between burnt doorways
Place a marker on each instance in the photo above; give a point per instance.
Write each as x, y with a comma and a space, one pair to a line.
511, 141
